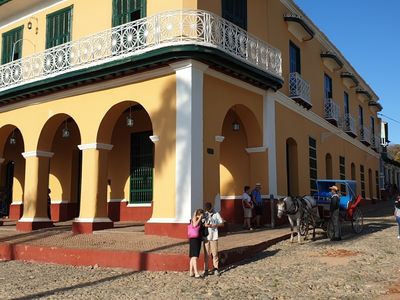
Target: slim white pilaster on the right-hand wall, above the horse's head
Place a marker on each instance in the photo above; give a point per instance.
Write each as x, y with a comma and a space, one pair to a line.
269, 140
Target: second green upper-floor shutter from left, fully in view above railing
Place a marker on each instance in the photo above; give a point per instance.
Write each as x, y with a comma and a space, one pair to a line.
58, 27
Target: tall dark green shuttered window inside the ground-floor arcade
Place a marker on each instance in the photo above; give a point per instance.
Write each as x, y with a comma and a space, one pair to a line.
142, 165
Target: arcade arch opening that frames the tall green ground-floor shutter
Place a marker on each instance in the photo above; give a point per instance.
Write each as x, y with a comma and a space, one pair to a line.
131, 160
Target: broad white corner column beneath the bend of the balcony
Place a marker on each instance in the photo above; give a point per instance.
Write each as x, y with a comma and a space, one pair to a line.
189, 138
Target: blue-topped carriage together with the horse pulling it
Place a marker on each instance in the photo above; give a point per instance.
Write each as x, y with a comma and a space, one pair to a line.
311, 212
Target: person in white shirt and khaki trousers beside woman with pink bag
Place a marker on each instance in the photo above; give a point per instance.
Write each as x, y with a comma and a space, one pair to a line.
213, 221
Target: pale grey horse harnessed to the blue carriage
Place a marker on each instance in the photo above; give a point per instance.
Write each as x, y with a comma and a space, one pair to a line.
300, 210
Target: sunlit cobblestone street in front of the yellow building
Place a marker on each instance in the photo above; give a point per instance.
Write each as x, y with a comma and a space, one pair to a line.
359, 267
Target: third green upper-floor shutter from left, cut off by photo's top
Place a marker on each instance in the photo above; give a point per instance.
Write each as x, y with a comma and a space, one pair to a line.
125, 11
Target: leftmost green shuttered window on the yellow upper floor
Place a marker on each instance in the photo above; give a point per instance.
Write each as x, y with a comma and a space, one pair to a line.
11, 38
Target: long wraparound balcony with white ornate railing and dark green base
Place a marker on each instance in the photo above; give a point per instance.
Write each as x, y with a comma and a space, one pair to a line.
143, 43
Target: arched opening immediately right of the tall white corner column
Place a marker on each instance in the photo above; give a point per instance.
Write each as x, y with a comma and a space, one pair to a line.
237, 167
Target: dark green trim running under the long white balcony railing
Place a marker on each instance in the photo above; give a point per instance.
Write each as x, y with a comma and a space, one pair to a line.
214, 58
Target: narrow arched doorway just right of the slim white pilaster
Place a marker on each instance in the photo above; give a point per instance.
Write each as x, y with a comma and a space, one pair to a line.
292, 167
